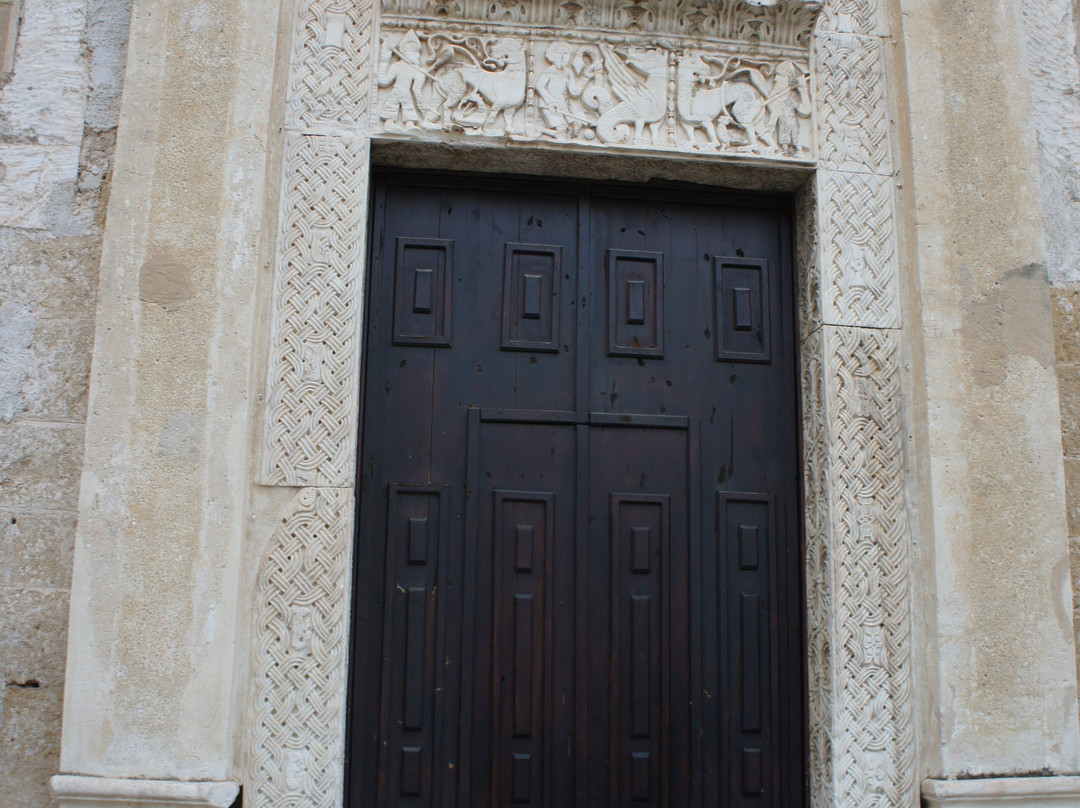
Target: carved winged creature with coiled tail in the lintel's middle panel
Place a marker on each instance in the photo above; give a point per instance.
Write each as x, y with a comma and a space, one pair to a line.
641, 84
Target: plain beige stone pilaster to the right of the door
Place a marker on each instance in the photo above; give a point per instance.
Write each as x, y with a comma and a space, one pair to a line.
1006, 693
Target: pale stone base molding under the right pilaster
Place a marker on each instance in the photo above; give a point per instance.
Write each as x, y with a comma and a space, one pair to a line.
1030, 792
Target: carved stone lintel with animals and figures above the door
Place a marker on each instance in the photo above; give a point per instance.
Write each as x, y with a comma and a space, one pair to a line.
603, 83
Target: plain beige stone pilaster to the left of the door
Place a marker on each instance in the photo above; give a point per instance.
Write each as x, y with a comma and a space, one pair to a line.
167, 475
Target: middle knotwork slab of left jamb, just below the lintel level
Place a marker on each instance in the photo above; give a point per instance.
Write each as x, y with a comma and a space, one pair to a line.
315, 360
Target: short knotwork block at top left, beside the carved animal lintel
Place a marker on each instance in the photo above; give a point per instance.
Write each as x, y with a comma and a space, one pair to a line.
331, 75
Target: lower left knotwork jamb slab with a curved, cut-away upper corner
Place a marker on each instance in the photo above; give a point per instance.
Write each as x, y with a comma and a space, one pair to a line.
301, 647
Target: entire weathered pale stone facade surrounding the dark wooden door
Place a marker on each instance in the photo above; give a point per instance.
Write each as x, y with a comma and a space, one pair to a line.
217, 490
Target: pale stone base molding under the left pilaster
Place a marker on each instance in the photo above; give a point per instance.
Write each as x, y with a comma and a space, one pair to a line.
79, 791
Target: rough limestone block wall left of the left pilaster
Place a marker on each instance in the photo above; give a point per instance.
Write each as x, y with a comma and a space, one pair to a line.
59, 112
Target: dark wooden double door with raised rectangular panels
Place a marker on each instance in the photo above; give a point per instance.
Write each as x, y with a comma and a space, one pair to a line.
578, 540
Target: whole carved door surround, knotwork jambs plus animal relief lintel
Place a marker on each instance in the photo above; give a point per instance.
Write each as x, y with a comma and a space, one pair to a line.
597, 75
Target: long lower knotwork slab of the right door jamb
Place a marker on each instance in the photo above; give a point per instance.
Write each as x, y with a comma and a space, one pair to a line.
872, 737
